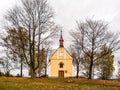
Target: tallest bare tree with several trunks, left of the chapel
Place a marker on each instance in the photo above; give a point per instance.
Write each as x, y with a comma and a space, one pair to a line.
35, 17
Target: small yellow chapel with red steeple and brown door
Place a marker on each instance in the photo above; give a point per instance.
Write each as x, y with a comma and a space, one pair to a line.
61, 61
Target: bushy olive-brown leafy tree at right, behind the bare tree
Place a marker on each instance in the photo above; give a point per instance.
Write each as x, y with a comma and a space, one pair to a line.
105, 64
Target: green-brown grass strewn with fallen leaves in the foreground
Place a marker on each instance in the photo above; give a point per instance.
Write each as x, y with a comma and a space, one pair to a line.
13, 83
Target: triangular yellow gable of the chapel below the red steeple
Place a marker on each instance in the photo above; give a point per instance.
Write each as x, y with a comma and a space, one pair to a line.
61, 53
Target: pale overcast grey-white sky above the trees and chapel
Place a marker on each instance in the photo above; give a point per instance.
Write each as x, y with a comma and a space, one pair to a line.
68, 11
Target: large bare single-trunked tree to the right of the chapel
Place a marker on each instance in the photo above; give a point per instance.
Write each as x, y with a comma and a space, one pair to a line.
92, 35
